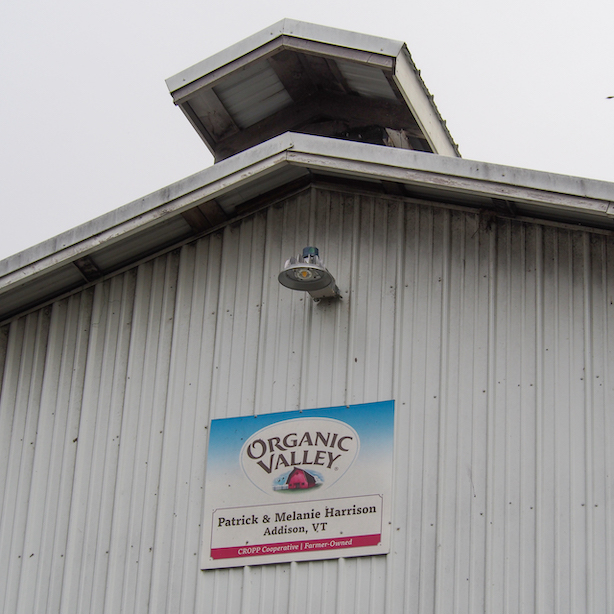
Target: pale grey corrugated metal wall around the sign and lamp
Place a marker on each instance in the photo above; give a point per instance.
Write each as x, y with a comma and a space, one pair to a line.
492, 337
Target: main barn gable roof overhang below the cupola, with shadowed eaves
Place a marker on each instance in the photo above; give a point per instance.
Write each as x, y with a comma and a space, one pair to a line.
231, 189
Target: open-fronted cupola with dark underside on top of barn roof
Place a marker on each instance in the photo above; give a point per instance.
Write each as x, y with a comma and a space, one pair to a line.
300, 77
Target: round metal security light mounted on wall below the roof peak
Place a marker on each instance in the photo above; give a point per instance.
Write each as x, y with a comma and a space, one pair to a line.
308, 274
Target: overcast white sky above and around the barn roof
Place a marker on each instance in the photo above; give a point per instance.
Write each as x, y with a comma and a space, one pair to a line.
87, 124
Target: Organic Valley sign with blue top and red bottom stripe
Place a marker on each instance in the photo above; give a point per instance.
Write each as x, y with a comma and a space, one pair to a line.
299, 486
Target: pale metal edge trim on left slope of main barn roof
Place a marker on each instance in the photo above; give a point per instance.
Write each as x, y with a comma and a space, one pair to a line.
148, 205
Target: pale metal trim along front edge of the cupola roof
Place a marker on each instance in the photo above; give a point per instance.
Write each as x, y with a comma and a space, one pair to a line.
285, 27
